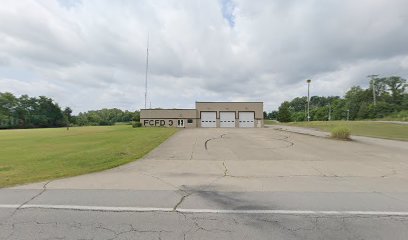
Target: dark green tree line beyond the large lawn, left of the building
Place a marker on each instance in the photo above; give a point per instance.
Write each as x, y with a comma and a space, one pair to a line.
43, 112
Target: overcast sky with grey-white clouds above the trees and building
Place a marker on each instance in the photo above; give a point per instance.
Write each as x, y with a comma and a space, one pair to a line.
91, 54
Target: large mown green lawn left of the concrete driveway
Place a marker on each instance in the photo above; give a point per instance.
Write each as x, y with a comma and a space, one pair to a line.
32, 155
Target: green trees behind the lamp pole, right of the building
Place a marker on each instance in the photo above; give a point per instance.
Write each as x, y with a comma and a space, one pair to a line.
384, 97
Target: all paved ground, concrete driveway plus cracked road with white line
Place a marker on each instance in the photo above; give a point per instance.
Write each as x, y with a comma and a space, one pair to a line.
226, 184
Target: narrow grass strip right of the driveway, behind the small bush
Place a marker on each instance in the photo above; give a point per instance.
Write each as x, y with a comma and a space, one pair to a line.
359, 128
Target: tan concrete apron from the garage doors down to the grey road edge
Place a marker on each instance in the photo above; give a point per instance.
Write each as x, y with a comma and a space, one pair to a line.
253, 160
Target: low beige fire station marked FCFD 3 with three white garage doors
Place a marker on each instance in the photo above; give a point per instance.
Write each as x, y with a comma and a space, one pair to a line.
207, 114
